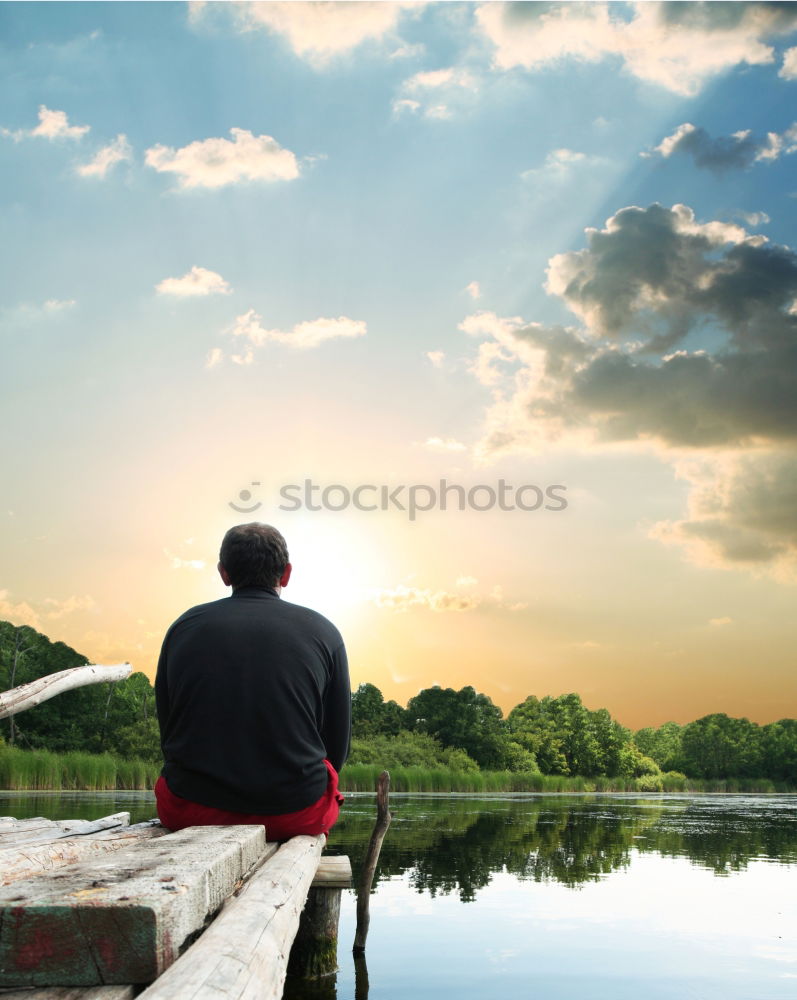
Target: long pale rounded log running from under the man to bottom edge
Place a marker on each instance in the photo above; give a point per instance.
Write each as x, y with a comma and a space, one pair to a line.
243, 954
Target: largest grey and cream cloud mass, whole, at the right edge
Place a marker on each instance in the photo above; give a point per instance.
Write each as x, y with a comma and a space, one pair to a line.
646, 289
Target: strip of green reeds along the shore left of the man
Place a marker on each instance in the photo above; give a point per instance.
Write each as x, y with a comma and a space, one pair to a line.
41, 770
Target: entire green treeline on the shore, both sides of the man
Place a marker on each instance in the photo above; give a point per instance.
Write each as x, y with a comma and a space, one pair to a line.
440, 730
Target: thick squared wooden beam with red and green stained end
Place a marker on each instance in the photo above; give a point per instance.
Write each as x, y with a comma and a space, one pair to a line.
123, 919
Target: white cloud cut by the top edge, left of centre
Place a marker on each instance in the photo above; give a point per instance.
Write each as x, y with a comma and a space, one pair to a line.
318, 32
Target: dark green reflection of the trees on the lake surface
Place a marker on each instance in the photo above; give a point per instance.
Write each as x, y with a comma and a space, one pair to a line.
455, 845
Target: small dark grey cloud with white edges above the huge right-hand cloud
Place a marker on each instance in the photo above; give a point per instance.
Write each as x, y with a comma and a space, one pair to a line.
737, 151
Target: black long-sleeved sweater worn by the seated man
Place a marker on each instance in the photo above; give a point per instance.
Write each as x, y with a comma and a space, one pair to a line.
252, 693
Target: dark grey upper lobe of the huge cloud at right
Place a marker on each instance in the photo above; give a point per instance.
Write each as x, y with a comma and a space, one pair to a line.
656, 274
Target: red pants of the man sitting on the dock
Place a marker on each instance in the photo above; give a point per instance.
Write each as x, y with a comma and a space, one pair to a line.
176, 813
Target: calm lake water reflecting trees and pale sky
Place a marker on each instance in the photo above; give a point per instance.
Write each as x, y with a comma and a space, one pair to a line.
556, 897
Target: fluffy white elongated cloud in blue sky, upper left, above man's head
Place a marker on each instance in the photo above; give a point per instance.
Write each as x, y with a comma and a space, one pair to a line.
214, 163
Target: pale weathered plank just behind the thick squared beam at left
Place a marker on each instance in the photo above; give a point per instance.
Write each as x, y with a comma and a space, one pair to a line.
40, 859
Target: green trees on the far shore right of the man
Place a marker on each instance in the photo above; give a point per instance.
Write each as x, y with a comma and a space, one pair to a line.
463, 730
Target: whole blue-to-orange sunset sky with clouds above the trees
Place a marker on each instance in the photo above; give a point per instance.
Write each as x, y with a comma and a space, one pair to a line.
490, 308
